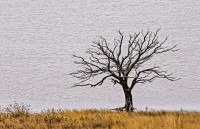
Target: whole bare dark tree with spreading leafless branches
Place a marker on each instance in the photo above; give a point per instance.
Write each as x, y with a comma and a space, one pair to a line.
122, 63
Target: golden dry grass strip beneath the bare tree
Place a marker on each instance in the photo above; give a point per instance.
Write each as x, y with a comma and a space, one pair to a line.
19, 117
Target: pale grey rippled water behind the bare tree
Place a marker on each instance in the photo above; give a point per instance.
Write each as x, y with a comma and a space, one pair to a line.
38, 37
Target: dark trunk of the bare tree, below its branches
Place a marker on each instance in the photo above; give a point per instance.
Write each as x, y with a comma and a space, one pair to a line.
128, 100
